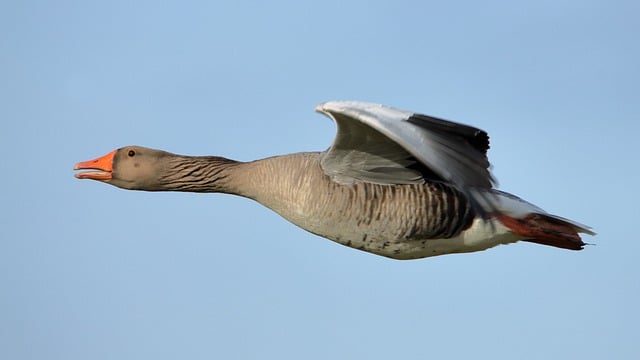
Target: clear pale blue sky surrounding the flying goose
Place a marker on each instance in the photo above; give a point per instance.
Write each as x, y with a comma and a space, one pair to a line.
89, 271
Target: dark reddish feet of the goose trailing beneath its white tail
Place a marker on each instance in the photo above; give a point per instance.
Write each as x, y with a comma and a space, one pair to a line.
545, 230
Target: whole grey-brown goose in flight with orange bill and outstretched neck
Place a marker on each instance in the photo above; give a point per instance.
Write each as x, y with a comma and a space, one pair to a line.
393, 183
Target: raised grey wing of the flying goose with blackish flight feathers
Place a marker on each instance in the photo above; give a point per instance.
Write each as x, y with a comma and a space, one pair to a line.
384, 145
